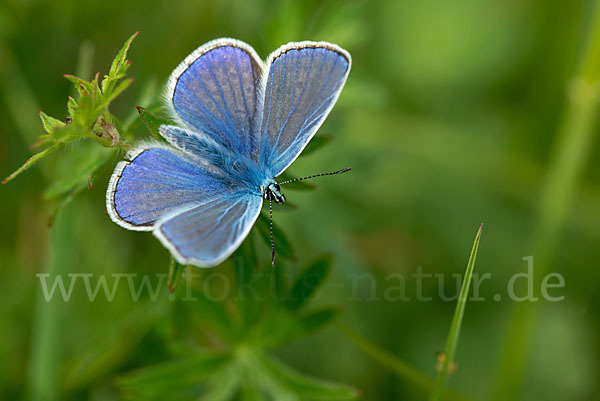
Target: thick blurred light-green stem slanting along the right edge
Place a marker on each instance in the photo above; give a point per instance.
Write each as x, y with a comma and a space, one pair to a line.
571, 153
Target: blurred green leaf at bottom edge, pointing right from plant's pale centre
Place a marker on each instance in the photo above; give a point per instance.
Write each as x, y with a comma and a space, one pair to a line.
306, 387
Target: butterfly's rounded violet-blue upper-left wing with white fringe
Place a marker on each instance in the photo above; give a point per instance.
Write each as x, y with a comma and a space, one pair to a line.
215, 91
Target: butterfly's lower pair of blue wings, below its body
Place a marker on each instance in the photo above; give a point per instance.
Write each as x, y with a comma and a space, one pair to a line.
200, 216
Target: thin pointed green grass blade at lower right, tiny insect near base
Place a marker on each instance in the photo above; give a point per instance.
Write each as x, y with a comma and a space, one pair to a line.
442, 379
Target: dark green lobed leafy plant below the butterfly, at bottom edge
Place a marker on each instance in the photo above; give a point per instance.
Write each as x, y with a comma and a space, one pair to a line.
242, 329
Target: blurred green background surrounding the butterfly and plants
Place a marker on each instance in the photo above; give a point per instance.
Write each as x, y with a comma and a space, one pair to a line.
455, 113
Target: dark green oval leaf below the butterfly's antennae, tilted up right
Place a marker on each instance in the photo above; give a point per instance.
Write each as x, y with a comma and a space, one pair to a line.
308, 282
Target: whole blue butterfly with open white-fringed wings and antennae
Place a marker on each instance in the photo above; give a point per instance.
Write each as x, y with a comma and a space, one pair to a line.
240, 123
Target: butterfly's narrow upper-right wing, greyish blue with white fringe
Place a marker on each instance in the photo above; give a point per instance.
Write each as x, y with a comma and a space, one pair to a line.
303, 83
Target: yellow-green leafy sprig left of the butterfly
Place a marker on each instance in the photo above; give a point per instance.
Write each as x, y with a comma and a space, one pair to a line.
89, 123
